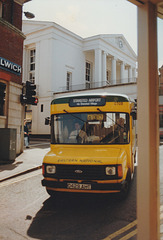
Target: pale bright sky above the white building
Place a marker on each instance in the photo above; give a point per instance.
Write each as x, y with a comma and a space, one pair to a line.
87, 18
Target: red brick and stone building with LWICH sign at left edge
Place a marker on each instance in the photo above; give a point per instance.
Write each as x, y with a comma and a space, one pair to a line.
11, 52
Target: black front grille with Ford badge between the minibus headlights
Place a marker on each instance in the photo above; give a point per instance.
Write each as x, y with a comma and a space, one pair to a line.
81, 172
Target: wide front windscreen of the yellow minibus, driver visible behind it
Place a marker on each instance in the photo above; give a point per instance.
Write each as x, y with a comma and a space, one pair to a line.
90, 128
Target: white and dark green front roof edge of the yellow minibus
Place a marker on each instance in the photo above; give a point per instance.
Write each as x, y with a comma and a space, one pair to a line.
110, 97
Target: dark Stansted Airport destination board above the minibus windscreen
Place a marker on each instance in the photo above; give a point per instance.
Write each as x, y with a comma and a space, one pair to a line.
87, 101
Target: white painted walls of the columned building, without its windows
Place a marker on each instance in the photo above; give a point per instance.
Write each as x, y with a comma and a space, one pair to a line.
58, 51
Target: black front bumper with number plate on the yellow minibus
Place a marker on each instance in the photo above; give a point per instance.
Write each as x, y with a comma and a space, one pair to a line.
89, 187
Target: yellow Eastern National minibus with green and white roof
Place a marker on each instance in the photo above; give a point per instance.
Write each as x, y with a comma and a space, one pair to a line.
93, 144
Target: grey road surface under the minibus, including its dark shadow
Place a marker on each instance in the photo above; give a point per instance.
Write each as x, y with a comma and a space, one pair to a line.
27, 212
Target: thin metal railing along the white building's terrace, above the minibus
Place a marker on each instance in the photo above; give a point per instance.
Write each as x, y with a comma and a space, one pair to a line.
92, 85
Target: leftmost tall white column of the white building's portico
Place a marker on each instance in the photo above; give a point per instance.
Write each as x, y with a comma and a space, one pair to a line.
98, 64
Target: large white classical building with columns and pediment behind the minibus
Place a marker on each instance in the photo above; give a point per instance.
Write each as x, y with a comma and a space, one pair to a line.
59, 61
